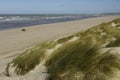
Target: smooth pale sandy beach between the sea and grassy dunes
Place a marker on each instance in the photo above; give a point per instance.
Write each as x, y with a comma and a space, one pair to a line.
14, 41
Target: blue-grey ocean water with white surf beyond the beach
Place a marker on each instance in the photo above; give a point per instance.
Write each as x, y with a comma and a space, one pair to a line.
19, 21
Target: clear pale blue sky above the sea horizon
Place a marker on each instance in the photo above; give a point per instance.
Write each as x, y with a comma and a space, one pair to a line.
59, 6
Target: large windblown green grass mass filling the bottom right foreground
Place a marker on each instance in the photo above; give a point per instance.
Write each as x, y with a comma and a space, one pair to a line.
83, 57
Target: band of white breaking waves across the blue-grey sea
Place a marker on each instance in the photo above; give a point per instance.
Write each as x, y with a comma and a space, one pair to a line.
26, 18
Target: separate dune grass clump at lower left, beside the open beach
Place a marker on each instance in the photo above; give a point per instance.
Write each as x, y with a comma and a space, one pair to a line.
30, 58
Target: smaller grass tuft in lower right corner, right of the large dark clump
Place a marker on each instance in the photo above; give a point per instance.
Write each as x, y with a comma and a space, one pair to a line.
104, 67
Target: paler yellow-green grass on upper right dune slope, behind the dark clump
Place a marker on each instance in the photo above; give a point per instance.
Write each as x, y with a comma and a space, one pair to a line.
104, 28
